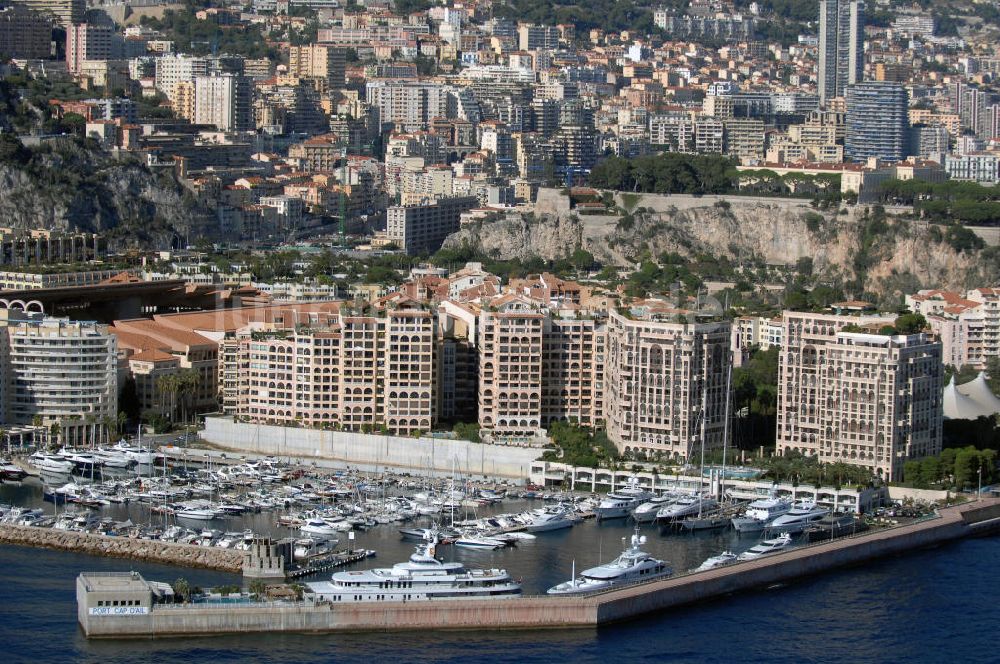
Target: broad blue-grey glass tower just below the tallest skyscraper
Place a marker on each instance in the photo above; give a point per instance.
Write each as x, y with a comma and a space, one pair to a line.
877, 121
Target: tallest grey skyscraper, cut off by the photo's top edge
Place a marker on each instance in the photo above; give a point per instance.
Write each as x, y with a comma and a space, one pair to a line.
841, 46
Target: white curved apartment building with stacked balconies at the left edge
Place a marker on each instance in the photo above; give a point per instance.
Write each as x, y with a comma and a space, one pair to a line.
59, 371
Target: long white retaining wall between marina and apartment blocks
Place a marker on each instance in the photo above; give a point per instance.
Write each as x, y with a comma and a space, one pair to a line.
372, 451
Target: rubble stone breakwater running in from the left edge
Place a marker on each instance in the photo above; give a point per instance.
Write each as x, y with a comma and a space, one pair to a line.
151, 551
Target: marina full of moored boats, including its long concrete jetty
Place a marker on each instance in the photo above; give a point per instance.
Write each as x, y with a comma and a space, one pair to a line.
486, 535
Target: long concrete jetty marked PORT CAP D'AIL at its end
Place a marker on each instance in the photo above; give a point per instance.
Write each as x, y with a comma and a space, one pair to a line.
123, 605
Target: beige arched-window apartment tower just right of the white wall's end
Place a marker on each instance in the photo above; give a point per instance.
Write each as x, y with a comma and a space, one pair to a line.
660, 378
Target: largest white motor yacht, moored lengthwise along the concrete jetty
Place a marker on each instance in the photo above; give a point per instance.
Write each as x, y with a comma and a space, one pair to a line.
423, 577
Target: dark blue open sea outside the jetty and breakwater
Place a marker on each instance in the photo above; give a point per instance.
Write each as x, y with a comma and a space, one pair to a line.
929, 606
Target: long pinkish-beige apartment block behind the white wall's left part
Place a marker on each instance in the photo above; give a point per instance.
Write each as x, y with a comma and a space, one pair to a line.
345, 370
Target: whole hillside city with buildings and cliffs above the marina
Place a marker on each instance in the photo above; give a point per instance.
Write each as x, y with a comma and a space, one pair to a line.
617, 234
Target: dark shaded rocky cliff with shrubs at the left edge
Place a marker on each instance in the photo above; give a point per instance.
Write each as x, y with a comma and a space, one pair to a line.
67, 186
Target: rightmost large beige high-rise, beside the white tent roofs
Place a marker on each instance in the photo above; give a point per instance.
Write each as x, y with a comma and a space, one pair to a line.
855, 397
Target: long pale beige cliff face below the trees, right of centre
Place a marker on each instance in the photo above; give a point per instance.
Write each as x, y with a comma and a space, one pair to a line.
897, 255
